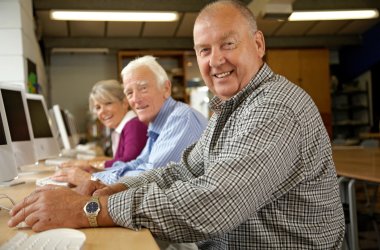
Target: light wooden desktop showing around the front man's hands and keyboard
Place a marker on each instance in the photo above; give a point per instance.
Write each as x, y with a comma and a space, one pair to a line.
98, 238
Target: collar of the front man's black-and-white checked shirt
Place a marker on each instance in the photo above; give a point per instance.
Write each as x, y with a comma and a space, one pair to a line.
217, 104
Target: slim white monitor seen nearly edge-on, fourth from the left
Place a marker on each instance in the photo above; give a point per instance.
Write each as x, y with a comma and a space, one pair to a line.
63, 127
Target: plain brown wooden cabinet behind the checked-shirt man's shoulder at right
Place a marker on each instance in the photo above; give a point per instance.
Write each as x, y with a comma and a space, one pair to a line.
309, 69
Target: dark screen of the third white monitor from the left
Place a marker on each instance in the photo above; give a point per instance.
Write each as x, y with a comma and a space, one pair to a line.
40, 123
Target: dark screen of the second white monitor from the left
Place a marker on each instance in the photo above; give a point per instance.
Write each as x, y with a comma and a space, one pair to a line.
15, 111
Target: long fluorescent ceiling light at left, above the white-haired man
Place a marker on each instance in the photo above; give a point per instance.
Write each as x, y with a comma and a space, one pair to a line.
132, 16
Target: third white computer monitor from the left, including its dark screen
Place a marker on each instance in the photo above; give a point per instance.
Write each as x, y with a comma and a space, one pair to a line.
44, 140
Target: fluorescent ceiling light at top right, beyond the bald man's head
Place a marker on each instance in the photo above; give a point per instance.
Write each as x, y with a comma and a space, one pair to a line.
333, 15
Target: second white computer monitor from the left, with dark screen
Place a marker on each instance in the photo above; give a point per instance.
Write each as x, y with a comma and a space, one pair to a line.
17, 115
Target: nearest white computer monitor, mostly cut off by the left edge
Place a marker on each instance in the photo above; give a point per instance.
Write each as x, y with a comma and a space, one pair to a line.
8, 167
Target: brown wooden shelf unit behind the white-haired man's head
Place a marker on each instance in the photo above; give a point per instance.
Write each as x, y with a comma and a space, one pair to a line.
174, 63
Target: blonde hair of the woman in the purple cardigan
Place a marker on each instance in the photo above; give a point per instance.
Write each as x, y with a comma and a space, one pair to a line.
106, 91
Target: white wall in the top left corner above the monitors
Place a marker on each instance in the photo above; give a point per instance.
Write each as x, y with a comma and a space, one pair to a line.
18, 42
